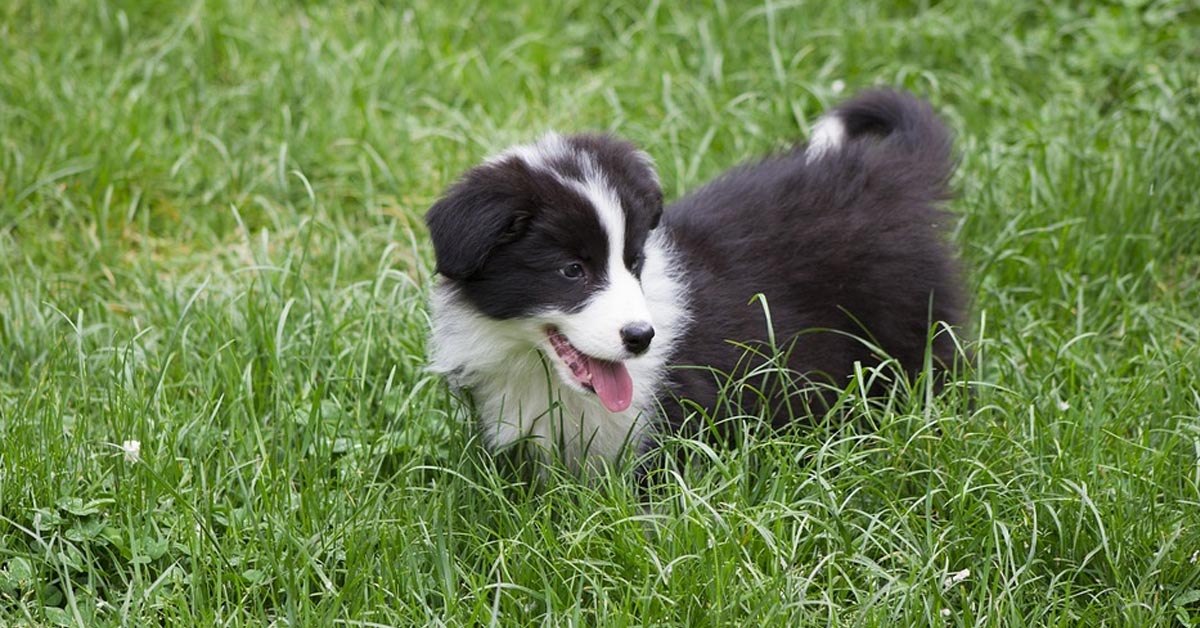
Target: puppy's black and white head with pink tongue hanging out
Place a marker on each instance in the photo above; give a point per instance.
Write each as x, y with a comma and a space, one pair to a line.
555, 234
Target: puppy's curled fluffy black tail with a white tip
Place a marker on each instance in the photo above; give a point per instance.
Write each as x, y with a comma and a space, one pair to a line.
897, 125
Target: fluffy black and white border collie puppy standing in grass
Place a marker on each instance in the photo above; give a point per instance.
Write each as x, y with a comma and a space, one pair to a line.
583, 316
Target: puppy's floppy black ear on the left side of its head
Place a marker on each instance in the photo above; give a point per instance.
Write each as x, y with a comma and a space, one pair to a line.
487, 208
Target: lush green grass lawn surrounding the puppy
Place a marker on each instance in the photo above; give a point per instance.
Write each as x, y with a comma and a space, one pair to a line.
212, 244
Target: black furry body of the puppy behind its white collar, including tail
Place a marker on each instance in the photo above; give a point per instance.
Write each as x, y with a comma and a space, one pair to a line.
851, 243
